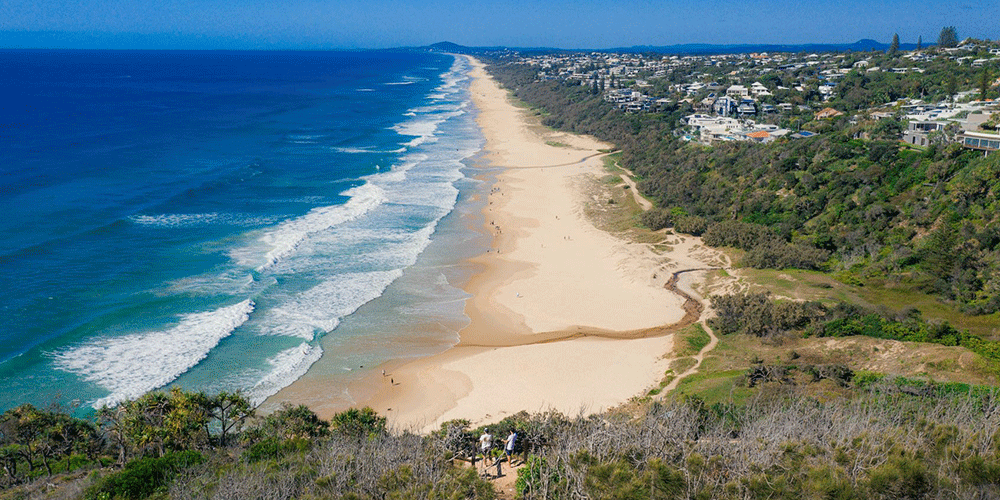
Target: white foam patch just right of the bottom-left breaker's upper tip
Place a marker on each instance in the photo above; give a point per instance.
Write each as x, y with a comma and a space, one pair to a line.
321, 307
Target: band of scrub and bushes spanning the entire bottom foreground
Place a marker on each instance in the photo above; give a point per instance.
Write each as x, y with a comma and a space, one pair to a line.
799, 432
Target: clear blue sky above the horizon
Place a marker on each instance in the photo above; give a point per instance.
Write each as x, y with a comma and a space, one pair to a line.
569, 24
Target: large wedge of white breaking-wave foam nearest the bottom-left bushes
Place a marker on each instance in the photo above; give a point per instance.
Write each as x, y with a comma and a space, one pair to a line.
131, 365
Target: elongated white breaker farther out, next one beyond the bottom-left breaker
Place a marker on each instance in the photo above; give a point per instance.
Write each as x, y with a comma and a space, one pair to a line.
284, 239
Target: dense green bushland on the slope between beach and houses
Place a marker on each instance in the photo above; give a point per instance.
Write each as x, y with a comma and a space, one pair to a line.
851, 200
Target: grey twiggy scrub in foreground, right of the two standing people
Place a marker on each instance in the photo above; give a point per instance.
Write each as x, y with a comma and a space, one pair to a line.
882, 443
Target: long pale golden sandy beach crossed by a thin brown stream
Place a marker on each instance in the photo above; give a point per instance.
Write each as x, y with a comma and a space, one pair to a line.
563, 316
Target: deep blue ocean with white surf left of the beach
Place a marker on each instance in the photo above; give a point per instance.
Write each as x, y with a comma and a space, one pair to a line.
205, 219
